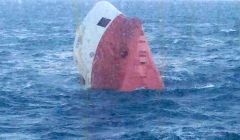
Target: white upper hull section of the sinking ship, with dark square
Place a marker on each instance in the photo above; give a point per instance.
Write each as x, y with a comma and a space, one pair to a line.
89, 35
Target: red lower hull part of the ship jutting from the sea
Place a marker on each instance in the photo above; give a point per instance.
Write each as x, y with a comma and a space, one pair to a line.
123, 60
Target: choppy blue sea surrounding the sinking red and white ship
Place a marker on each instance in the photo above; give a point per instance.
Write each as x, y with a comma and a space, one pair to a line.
195, 44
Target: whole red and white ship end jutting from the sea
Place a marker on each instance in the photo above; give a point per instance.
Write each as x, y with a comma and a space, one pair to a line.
112, 52
